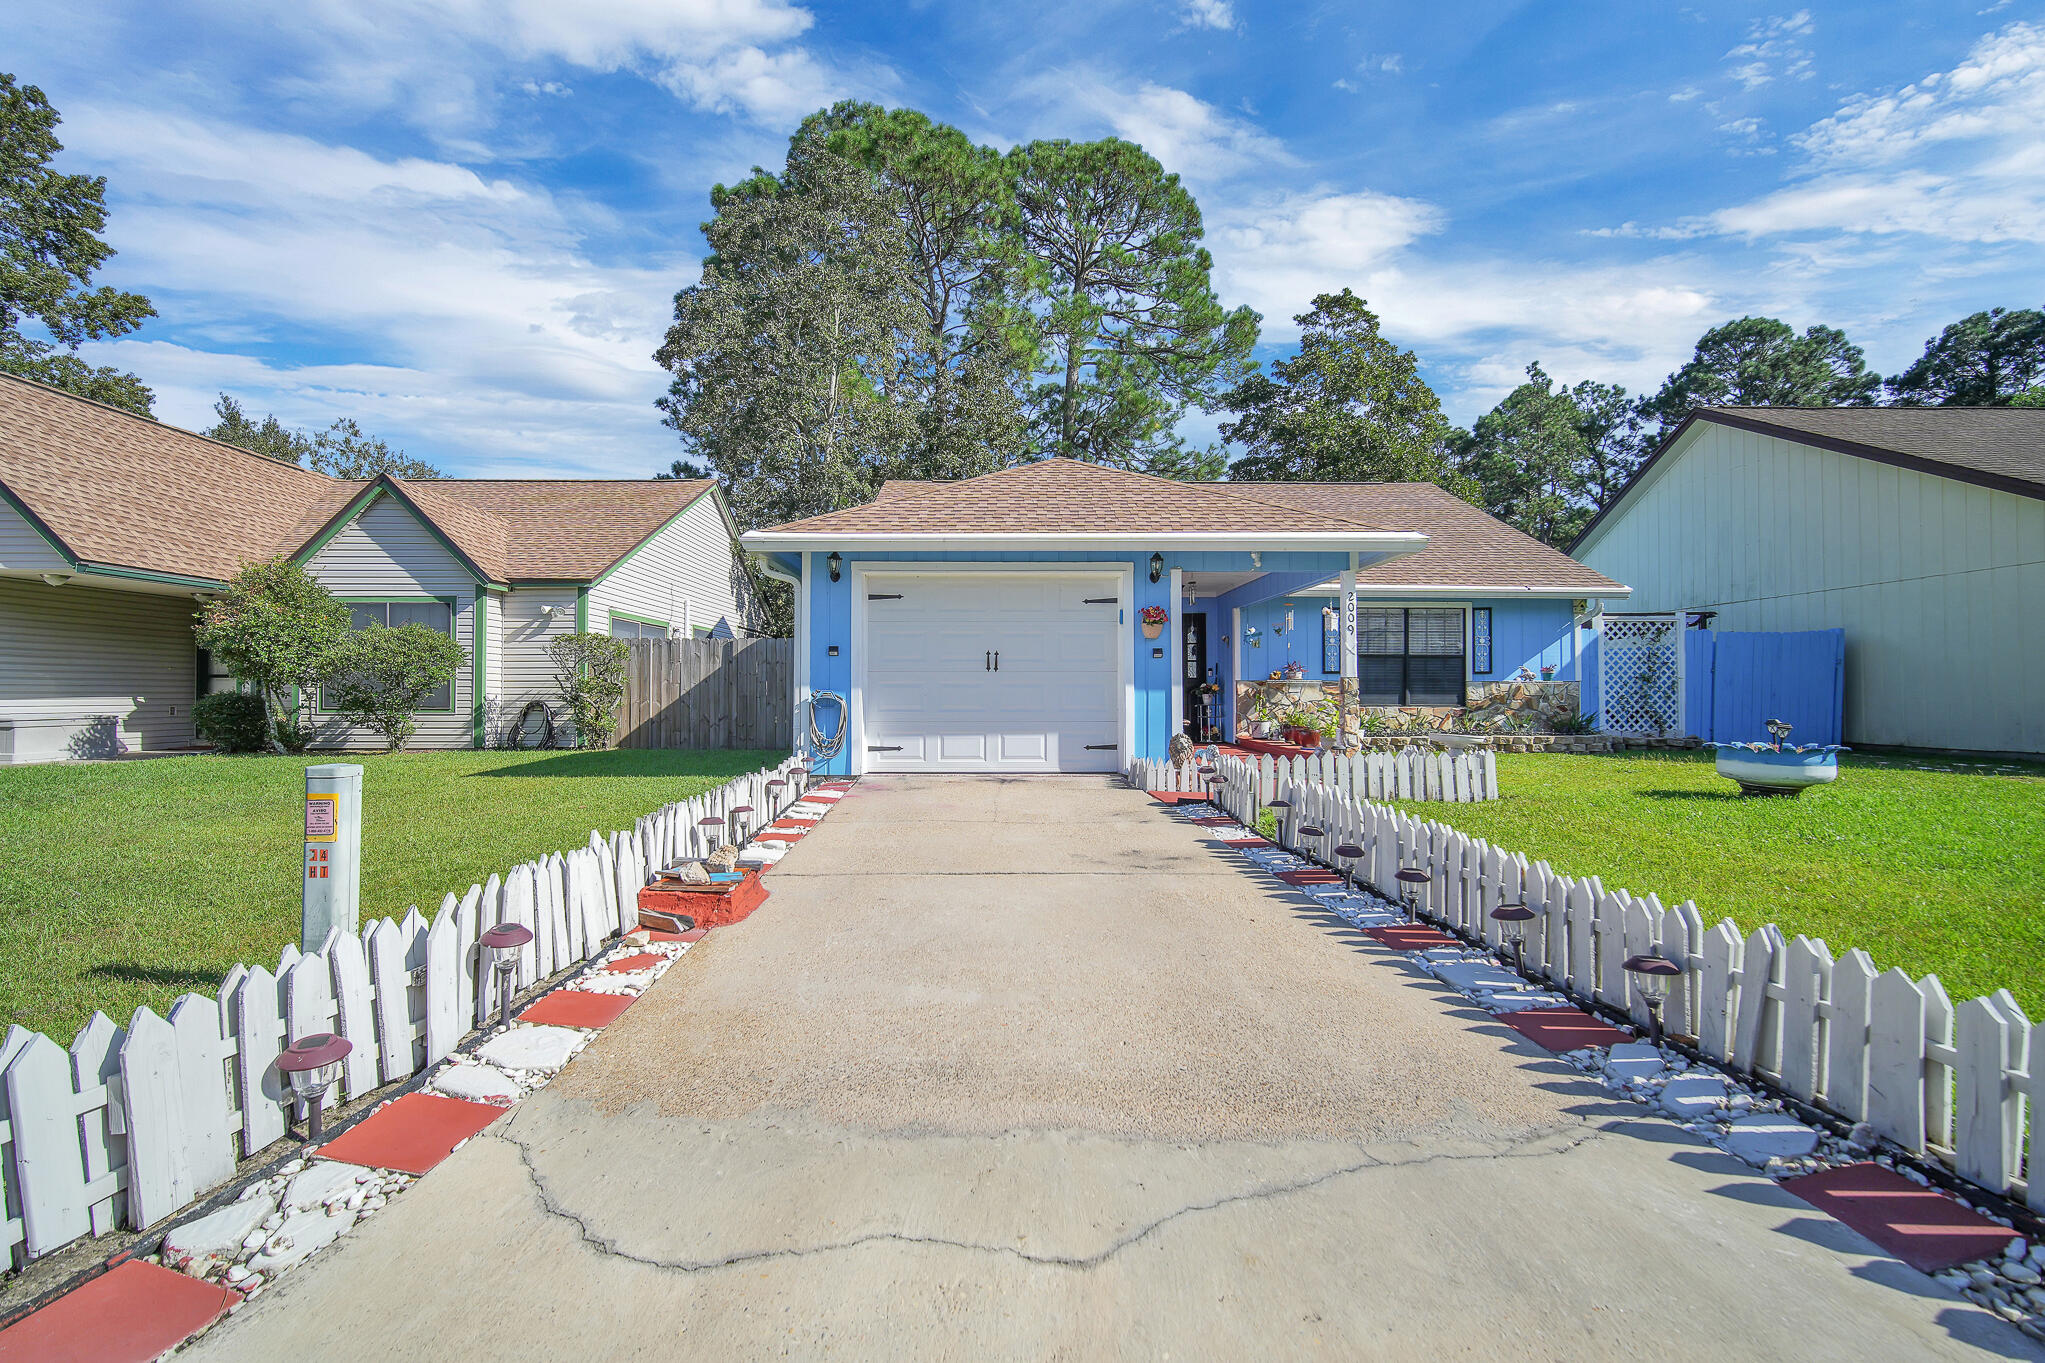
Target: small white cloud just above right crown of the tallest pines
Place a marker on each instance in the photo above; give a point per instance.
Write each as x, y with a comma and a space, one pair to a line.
1185, 134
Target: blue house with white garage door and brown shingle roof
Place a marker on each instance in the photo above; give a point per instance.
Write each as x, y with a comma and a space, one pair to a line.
1066, 618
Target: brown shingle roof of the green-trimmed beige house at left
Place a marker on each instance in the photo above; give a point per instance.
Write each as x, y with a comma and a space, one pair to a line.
136, 493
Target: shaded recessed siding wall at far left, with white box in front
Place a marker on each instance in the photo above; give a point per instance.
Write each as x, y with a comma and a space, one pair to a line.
93, 673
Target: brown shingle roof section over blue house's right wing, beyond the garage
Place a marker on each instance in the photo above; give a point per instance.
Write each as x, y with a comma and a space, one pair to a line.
1465, 547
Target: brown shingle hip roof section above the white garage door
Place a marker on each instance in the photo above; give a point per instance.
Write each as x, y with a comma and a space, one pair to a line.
1066, 498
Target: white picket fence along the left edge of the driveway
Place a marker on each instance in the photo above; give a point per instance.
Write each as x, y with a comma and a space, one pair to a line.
130, 1127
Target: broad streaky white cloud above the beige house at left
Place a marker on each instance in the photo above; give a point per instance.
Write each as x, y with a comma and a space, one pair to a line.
482, 320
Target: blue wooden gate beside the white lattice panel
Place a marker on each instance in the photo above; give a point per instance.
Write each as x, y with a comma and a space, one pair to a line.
1739, 681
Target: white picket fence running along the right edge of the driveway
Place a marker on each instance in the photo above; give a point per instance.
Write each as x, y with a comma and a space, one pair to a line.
1944, 1084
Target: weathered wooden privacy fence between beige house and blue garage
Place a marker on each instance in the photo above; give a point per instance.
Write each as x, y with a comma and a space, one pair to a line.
711, 694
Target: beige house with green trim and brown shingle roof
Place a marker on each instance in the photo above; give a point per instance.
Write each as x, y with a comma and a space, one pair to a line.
113, 528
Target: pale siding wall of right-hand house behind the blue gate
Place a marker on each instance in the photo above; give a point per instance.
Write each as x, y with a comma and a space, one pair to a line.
1934, 581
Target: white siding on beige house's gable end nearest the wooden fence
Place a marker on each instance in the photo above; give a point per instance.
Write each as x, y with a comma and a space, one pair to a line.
688, 571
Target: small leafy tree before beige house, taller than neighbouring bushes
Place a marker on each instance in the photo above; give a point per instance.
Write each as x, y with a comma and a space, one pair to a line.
275, 628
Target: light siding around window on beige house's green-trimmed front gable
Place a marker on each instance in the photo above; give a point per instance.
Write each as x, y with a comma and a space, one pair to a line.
388, 555
